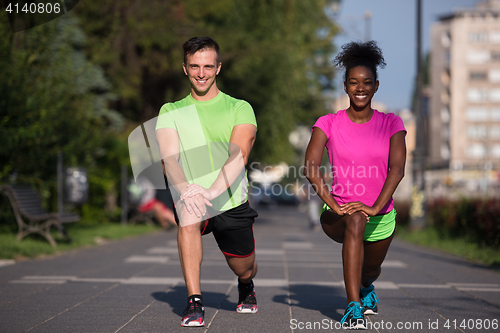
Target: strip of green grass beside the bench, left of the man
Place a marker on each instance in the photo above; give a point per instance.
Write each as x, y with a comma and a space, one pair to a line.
81, 235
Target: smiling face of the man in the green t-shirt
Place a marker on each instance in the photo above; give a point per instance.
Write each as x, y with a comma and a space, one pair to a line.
202, 68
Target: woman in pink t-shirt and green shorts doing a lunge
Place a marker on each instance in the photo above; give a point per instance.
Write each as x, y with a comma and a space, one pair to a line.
367, 154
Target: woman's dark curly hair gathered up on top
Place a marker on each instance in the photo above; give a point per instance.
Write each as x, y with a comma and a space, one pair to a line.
355, 54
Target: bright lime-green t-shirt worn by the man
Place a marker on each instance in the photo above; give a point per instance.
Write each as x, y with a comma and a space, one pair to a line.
204, 130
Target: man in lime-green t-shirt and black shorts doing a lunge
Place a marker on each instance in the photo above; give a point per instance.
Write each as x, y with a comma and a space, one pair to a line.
204, 141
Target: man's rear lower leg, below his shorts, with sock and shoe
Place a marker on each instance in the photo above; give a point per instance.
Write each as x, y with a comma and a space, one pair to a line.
245, 269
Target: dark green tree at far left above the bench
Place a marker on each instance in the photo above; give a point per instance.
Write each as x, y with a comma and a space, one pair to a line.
53, 99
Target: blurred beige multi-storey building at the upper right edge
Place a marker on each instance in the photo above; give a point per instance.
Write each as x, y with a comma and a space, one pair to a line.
464, 113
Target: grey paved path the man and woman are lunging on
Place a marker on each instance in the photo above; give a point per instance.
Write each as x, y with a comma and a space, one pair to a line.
136, 285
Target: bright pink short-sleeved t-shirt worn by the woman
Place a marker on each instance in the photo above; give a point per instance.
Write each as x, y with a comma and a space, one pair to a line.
359, 155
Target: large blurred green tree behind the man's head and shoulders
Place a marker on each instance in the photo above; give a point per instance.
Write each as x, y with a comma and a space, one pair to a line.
274, 52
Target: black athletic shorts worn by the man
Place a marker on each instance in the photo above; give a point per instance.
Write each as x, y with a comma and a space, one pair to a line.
232, 230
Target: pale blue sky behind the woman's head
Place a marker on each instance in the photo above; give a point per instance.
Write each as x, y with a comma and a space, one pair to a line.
393, 27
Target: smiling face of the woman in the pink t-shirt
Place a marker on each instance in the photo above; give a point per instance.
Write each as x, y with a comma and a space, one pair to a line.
360, 86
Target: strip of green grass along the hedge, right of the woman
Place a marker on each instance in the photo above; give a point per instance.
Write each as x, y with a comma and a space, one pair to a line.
460, 246
